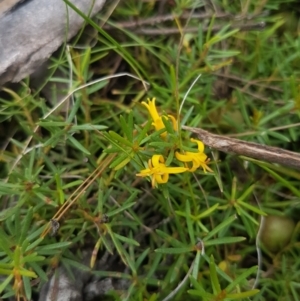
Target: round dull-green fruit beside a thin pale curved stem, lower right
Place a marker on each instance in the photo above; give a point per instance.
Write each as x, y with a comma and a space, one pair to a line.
277, 232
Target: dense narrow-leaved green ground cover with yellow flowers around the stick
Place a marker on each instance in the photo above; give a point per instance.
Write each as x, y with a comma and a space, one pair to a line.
110, 169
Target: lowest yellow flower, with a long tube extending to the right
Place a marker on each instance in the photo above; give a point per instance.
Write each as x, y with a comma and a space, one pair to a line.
159, 171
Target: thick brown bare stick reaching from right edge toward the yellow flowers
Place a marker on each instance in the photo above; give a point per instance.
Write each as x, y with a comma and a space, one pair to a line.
249, 149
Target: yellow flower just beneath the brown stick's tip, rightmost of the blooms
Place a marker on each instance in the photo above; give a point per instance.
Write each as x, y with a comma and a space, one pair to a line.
198, 159
